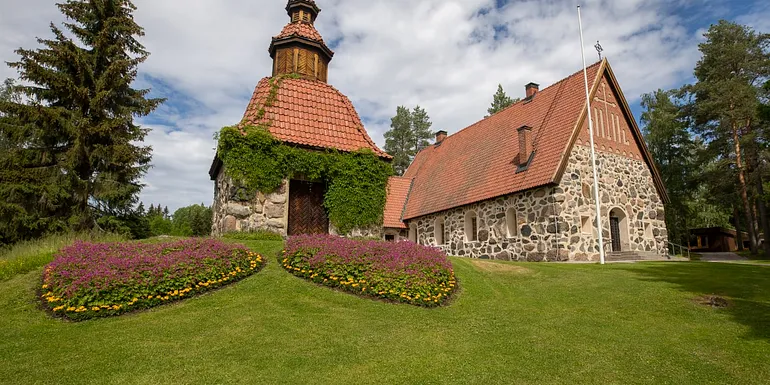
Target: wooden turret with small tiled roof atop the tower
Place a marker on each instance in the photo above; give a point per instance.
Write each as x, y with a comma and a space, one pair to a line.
299, 48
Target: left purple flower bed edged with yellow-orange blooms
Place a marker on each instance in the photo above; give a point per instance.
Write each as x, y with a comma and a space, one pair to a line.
88, 280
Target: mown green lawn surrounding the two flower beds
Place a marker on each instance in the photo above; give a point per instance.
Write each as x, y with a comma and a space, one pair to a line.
512, 323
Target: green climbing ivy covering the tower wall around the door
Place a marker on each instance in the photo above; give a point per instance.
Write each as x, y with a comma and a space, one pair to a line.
356, 181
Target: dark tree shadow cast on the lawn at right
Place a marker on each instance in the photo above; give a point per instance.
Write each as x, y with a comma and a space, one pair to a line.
746, 287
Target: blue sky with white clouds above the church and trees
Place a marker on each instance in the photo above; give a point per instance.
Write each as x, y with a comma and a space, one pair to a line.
448, 56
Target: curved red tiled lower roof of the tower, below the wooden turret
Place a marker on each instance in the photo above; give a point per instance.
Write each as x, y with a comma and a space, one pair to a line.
310, 113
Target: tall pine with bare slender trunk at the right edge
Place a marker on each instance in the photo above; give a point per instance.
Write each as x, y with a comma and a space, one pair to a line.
734, 64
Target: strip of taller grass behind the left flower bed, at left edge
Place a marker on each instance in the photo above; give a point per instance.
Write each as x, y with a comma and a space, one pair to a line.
26, 256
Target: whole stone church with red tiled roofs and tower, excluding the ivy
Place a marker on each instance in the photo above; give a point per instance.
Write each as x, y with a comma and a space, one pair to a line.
517, 185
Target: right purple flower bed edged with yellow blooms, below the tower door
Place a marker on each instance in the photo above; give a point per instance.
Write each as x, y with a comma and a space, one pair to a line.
403, 272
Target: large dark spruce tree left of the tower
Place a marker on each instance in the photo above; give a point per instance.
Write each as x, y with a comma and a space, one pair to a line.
80, 139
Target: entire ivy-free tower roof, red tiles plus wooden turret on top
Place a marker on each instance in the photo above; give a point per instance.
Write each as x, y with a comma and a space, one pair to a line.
305, 110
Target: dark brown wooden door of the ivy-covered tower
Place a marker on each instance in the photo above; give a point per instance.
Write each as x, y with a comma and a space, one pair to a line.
306, 212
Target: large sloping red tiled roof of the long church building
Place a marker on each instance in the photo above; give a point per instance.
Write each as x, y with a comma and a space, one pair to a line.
477, 163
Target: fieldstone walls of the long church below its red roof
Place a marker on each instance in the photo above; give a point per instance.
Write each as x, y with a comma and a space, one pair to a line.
556, 223
